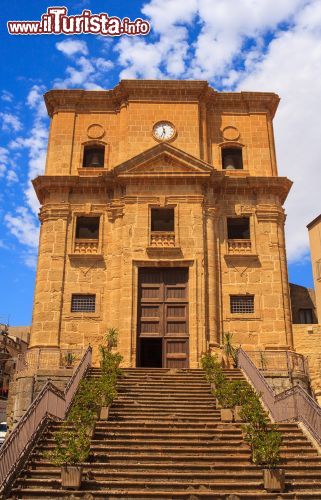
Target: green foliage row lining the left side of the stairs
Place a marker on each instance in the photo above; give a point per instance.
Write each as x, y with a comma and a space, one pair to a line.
72, 442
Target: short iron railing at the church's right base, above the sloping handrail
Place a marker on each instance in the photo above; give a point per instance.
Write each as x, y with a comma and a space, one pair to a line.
279, 361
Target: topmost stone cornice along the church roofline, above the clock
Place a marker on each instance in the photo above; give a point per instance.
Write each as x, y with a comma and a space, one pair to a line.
82, 101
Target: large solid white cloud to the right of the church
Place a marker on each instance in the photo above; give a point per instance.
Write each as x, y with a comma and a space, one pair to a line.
287, 70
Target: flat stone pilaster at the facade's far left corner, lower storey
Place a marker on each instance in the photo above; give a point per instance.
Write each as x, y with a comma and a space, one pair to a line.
45, 331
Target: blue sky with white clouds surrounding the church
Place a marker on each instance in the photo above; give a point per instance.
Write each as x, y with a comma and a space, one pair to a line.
234, 44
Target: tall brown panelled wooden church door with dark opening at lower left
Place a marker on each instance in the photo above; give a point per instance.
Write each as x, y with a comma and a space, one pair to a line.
163, 318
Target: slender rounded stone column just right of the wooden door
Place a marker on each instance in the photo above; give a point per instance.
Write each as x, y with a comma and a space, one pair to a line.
212, 278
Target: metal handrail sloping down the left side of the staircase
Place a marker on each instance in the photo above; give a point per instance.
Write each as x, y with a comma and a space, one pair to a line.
50, 402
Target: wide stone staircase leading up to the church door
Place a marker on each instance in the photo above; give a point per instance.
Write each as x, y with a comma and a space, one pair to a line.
164, 440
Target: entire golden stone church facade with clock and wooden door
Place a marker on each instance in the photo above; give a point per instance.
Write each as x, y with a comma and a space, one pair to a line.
162, 216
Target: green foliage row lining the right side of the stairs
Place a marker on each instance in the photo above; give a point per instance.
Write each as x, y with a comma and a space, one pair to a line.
264, 439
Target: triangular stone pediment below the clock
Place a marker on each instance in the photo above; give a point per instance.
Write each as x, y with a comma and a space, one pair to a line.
163, 159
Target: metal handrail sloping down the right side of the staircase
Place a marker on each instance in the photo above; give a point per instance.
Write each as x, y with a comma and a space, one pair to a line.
293, 404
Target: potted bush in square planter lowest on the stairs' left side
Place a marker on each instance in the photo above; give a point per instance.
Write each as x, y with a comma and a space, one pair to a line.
72, 447
